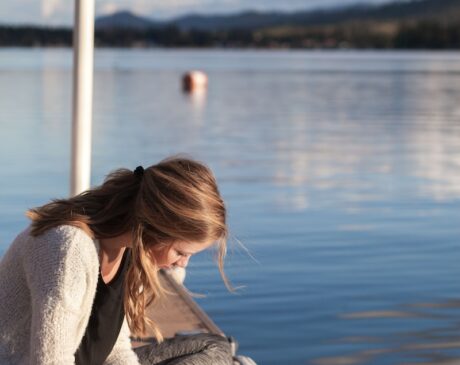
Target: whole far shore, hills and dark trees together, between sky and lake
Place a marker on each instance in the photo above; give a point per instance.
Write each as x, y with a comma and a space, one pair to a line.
403, 24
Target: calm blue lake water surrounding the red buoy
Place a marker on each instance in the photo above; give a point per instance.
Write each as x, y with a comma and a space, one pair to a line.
341, 172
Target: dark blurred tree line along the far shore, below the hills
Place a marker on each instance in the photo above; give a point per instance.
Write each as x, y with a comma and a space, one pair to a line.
411, 35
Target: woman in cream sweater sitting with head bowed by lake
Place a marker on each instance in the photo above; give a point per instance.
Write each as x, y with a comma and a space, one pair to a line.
77, 281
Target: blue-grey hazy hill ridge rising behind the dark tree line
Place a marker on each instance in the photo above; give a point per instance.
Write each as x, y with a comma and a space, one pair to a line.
445, 10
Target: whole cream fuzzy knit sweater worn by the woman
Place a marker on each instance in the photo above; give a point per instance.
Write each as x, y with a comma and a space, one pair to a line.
47, 287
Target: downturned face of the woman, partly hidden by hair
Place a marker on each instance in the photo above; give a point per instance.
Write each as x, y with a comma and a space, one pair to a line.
178, 254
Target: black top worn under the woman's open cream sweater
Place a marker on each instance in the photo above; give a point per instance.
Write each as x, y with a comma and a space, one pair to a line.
106, 318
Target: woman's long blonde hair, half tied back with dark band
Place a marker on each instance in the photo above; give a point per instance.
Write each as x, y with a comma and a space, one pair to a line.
174, 200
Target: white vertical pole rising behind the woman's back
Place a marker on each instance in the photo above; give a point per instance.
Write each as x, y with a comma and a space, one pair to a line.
82, 103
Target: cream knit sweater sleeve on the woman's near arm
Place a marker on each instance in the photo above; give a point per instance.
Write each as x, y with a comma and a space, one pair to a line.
60, 282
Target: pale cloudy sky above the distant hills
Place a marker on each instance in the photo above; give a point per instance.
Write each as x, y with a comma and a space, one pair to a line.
60, 12
